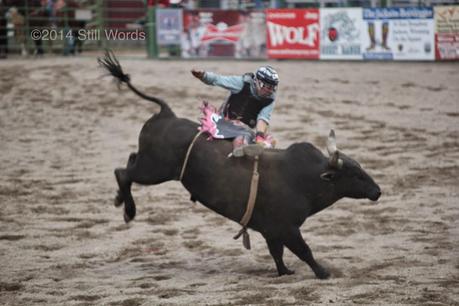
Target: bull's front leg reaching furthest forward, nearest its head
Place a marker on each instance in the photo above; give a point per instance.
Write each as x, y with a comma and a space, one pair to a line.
295, 242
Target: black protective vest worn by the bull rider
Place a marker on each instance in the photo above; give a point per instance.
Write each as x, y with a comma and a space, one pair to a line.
244, 106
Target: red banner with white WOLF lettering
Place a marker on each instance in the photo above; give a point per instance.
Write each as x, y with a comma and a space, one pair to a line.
293, 33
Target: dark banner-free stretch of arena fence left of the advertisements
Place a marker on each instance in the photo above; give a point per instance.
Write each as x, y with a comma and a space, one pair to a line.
75, 28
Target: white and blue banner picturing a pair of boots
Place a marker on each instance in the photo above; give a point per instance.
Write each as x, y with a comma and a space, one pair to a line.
399, 34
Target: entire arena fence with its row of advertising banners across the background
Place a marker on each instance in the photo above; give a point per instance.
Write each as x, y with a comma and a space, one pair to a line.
368, 32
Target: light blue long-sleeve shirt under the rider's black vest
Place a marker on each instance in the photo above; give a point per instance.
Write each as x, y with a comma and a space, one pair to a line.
235, 84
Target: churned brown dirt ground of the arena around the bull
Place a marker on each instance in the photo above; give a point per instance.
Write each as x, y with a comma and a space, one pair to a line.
64, 128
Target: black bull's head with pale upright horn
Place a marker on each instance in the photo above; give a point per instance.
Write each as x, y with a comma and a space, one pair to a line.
348, 177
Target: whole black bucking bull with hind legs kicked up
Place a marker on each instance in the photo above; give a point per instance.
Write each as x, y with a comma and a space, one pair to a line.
294, 183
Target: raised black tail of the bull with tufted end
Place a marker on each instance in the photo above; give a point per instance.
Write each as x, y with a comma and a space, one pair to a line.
110, 62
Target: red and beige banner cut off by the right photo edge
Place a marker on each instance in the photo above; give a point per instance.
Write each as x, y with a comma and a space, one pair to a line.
447, 32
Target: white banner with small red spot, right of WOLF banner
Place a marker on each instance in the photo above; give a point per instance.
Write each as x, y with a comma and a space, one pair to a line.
341, 32
